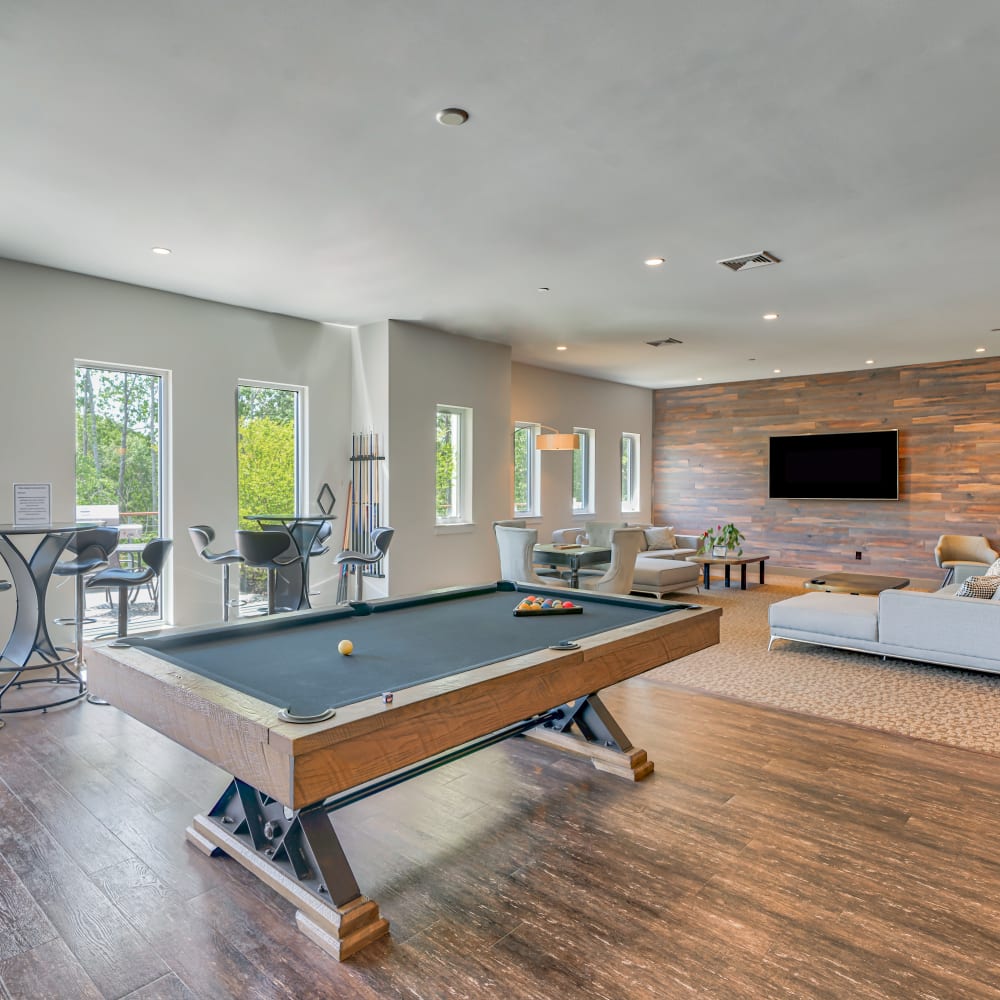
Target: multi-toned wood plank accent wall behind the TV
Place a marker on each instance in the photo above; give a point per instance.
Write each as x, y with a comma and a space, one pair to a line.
710, 446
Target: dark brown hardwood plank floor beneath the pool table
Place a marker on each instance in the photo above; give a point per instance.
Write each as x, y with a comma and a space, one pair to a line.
770, 855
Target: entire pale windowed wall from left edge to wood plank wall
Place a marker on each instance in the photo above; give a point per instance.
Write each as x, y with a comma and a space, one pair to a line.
387, 376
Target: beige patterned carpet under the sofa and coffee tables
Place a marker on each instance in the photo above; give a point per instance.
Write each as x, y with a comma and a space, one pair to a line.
946, 705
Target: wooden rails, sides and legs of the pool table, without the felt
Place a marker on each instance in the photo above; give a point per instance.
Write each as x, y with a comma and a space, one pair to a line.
273, 817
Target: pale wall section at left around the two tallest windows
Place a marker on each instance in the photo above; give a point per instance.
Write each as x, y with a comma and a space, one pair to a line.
50, 319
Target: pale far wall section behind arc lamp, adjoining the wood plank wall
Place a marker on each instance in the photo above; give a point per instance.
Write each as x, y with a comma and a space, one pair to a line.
565, 401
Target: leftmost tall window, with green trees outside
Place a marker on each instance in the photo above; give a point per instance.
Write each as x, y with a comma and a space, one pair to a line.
119, 474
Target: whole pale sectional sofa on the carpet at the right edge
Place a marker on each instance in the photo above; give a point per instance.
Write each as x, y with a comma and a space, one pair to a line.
939, 628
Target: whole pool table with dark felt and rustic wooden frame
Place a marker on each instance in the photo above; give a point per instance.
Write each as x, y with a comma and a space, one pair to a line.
304, 730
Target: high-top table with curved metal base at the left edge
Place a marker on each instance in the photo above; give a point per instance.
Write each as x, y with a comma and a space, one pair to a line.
29, 646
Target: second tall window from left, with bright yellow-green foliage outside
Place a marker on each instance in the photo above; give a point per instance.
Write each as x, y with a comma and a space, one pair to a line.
269, 465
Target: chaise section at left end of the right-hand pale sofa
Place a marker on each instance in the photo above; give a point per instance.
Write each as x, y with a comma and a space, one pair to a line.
849, 621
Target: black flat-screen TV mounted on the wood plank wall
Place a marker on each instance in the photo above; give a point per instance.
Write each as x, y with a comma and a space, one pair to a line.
853, 466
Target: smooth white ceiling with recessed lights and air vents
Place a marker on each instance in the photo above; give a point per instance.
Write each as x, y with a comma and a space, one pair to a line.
289, 155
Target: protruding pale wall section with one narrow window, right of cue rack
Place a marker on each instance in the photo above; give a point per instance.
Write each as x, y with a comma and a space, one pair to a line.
428, 367
